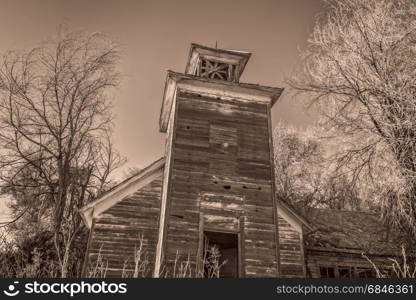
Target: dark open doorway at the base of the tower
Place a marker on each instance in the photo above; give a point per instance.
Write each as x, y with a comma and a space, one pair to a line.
220, 255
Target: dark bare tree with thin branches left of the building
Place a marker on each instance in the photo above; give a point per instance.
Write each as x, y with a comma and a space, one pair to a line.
55, 128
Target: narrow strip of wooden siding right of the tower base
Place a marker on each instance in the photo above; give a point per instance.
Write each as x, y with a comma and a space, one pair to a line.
292, 262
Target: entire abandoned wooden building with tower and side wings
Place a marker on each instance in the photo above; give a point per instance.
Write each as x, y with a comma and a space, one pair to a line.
215, 186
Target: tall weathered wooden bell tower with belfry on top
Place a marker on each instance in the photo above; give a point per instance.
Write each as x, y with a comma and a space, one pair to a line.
218, 185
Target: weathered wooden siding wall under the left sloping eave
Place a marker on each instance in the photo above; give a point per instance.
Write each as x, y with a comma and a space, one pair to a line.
116, 232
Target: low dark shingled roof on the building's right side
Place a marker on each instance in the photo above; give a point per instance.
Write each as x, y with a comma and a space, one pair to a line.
349, 231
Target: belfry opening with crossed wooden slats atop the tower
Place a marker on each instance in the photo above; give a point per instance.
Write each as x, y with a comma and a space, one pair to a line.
215, 70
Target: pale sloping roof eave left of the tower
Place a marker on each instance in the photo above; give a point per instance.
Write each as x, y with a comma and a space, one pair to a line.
122, 190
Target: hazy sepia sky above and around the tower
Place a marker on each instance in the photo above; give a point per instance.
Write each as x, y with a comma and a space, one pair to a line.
157, 35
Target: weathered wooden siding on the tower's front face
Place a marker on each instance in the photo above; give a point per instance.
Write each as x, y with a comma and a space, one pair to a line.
221, 148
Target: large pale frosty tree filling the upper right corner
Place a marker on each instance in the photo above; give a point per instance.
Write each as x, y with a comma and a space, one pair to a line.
359, 69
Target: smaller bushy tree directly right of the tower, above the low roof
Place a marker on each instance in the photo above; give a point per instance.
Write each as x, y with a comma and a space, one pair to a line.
306, 175
